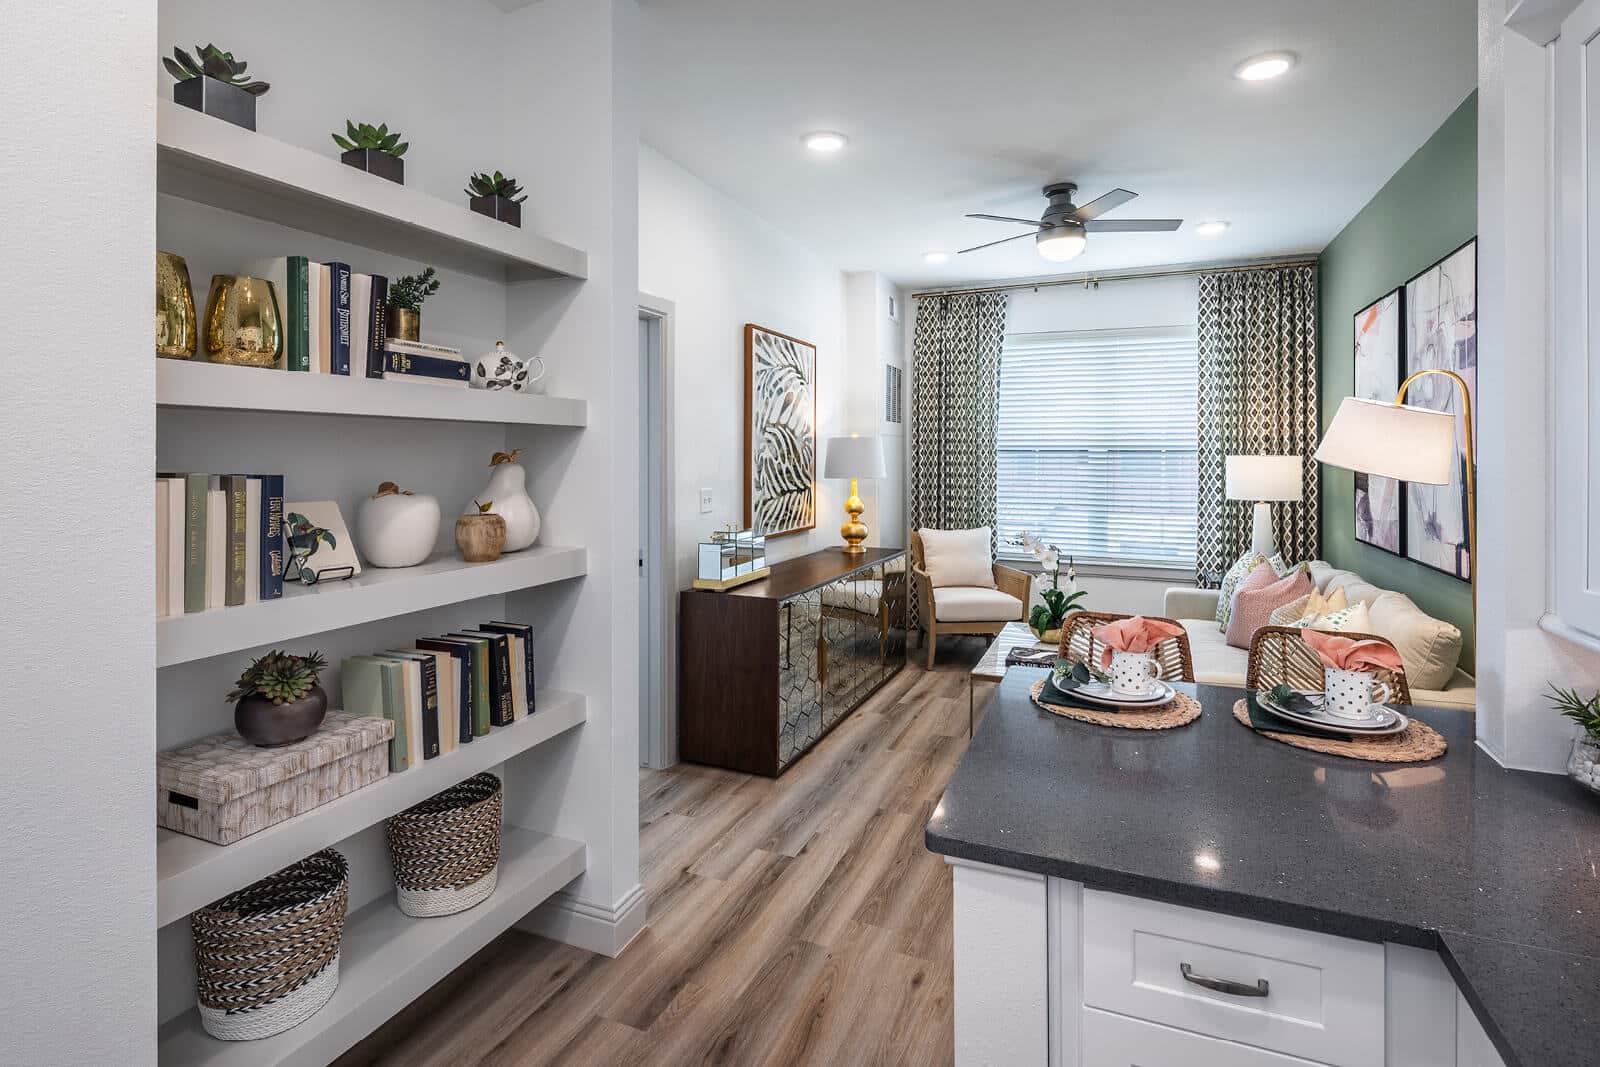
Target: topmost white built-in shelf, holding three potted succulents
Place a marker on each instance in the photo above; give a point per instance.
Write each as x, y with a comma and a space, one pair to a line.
215, 162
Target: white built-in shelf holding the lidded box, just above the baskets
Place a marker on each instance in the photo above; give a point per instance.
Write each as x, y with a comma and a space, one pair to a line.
193, 874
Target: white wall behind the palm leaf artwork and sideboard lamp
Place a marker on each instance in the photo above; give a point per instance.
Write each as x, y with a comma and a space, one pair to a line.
724, 266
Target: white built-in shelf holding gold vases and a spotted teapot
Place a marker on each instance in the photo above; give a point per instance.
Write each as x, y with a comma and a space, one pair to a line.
222, 388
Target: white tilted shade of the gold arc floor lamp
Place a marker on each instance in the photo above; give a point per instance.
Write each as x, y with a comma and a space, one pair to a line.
1391, 441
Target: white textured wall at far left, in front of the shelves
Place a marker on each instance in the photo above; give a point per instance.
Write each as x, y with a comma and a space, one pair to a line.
79, 633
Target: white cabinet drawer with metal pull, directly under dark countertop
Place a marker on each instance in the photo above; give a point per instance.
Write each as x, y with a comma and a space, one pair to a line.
1324, 996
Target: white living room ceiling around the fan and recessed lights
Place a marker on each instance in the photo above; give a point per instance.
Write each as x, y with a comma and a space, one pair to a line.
959, 106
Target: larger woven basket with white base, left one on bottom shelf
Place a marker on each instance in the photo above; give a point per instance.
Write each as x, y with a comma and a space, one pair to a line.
268, 956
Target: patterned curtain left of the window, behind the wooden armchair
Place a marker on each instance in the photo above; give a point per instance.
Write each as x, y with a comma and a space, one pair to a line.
956, 383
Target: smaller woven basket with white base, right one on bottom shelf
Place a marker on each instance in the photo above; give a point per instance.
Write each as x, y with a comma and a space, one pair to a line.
446, 850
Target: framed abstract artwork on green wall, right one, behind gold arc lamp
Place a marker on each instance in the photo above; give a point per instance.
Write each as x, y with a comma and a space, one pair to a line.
1442, 332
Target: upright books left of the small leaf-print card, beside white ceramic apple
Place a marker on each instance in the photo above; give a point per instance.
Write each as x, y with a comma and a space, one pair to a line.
218, 541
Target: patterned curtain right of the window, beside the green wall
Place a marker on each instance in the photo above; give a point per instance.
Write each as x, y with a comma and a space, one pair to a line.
1258, 398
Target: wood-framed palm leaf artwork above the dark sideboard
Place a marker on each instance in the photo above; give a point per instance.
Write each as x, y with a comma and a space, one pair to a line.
780, 433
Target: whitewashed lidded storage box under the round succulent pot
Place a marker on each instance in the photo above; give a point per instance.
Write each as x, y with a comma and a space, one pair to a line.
223, 788
